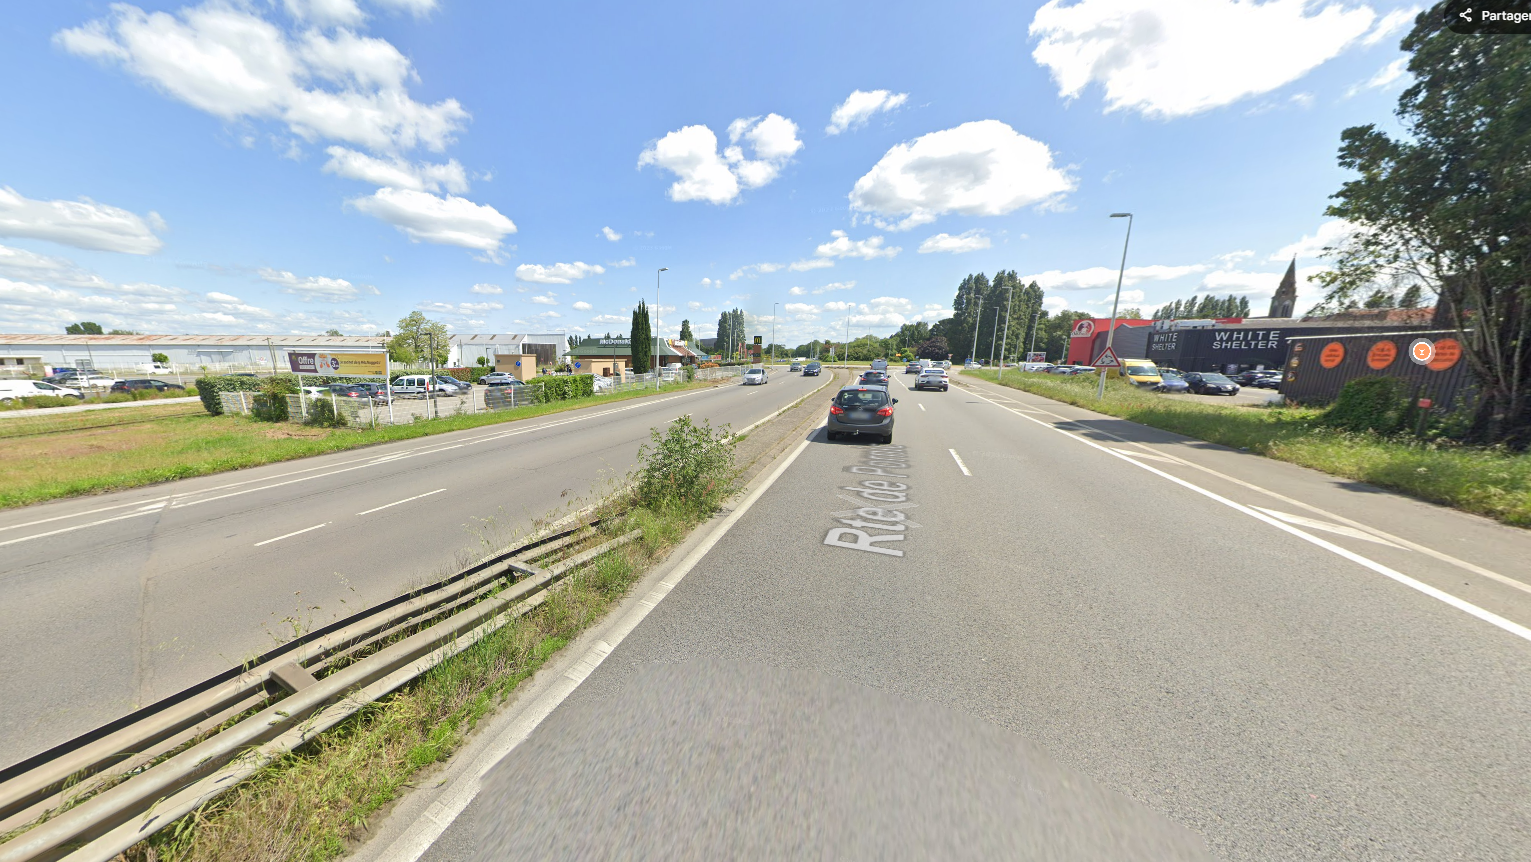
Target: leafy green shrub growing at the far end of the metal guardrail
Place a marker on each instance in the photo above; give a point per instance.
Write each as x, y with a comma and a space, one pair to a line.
687, 466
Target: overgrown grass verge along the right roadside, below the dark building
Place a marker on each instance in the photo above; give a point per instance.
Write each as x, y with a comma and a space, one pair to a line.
1483, 482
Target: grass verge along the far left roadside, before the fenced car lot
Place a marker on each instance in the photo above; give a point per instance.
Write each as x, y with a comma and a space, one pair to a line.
91, 452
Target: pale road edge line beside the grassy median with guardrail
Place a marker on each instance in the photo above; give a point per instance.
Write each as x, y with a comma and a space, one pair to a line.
425, 832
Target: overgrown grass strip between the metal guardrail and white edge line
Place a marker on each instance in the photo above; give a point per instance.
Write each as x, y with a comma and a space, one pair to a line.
310, 805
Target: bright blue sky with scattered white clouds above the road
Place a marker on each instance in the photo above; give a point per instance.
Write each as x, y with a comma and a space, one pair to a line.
295, 166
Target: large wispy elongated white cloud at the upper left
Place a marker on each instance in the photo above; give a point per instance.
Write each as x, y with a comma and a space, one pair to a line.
237, 65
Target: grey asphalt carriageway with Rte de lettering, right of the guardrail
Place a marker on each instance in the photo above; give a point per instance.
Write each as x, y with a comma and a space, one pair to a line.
1180, 641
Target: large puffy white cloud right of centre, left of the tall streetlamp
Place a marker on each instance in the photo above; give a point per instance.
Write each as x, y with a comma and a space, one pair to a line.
978, 169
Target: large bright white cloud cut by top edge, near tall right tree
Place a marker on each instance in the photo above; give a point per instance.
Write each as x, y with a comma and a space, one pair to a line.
1169, 60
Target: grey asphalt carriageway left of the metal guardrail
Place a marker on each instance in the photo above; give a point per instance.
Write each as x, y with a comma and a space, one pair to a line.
113, 602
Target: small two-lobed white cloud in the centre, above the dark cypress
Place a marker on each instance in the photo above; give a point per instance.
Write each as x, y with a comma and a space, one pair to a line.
691, 154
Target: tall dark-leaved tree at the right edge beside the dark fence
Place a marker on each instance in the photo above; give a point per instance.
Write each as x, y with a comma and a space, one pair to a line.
1448, 204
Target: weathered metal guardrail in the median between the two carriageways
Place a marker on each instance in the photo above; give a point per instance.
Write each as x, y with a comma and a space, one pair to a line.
109, 789
